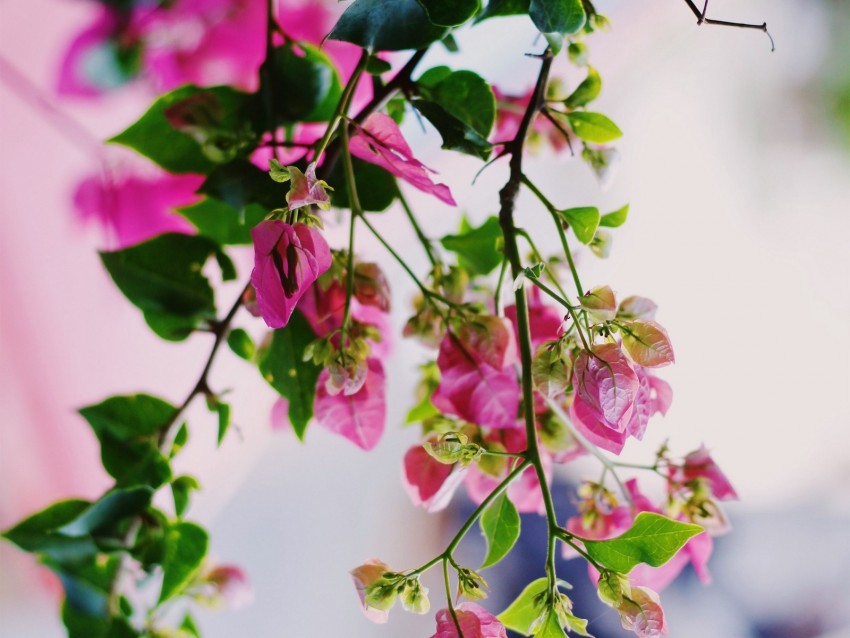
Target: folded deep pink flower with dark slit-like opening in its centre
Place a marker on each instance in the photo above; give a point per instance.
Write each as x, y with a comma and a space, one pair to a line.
287, 260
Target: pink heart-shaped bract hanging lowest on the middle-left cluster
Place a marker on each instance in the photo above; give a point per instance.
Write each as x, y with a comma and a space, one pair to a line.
358, 417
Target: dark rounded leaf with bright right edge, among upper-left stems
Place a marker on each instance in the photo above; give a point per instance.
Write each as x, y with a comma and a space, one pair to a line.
306, 82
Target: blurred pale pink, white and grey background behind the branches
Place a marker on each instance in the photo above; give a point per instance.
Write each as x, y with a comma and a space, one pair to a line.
736, 163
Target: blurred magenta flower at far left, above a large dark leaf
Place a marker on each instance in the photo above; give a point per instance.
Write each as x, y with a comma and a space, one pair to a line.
133, 208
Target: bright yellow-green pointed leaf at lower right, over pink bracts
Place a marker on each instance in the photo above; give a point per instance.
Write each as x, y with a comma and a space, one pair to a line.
652, 539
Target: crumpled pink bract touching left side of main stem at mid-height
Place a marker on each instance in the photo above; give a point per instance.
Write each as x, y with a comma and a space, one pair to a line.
474, 390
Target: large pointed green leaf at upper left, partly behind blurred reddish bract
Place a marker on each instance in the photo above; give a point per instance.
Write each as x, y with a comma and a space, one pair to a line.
177, 152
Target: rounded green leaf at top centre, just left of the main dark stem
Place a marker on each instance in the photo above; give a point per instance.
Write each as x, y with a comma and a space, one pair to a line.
465, 96
